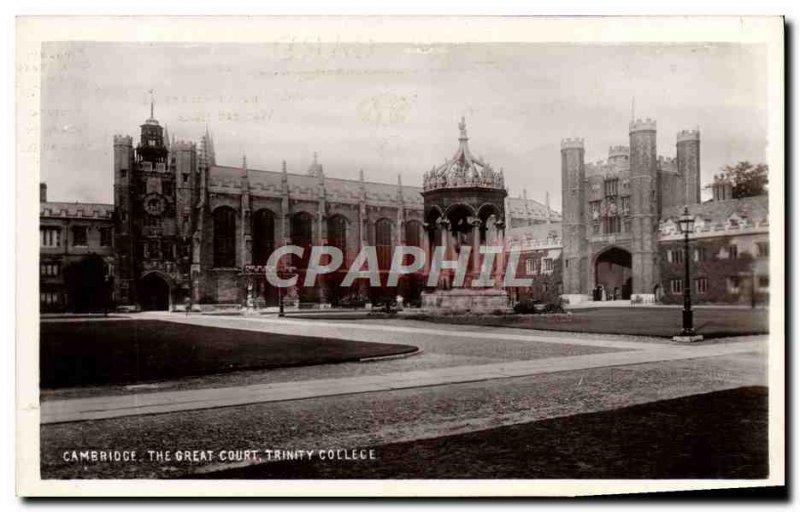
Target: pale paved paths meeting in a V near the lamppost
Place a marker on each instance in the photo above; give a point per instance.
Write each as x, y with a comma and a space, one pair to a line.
59, 411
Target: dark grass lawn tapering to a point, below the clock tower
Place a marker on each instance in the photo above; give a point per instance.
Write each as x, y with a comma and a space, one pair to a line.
128, 351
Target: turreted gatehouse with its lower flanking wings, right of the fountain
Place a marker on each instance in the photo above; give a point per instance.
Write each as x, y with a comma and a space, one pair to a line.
619, 237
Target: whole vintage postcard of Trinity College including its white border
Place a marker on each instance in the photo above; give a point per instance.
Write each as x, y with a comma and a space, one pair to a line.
399, 256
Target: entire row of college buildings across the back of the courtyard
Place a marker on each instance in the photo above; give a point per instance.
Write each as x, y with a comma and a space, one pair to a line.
185, 229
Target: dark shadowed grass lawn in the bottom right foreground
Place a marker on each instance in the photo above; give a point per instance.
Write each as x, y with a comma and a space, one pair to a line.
714, 435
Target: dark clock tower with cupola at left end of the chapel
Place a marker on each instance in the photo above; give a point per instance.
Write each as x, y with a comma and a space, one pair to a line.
153, 233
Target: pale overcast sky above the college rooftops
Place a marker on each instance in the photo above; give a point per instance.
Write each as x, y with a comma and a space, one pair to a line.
394, 108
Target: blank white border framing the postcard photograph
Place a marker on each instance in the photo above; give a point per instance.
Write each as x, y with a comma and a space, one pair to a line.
32, 31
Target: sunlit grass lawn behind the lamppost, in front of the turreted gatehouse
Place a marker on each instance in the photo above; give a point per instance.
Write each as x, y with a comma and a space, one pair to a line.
664, 322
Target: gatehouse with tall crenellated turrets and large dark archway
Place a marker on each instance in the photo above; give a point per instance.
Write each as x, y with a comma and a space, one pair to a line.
611, 209
